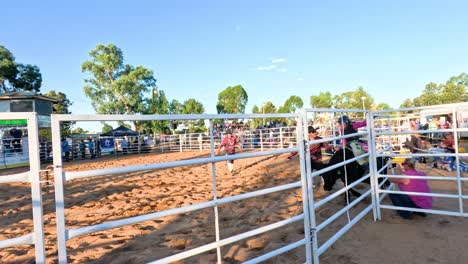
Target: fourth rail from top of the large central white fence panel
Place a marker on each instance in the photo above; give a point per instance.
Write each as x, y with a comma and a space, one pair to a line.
229, 240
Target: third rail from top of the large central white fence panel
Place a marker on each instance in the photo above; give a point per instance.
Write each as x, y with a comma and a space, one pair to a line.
141, 218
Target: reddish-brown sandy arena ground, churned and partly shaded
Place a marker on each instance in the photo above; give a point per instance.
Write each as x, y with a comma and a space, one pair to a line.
434, 239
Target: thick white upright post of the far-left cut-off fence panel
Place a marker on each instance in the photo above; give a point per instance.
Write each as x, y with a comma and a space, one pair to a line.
36, 194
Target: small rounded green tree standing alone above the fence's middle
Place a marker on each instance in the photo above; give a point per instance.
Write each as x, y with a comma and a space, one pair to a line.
232, 100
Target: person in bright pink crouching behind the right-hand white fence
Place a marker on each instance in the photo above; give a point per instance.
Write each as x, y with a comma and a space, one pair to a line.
408, 167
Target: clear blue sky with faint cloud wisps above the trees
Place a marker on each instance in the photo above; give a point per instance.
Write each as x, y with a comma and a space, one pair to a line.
274, 49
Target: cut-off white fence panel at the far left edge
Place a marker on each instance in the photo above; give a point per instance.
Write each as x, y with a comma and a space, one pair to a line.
32, 176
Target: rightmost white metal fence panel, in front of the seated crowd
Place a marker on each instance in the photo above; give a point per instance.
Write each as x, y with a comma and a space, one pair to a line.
435, 155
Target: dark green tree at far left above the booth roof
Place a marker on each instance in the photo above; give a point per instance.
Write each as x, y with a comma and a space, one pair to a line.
15, 76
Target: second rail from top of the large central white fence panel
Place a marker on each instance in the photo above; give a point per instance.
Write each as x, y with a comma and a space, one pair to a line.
164, 165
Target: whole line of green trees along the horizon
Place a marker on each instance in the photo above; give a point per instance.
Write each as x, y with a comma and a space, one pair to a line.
114, 87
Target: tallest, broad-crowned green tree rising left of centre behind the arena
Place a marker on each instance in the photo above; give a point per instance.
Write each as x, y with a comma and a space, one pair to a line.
115, 87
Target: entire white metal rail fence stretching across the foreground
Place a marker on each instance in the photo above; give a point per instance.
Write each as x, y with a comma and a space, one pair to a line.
380, 138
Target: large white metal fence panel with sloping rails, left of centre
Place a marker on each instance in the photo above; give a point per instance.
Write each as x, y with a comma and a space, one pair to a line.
64, 234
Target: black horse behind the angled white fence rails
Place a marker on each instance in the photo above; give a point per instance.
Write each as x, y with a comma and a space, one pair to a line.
352, 170
